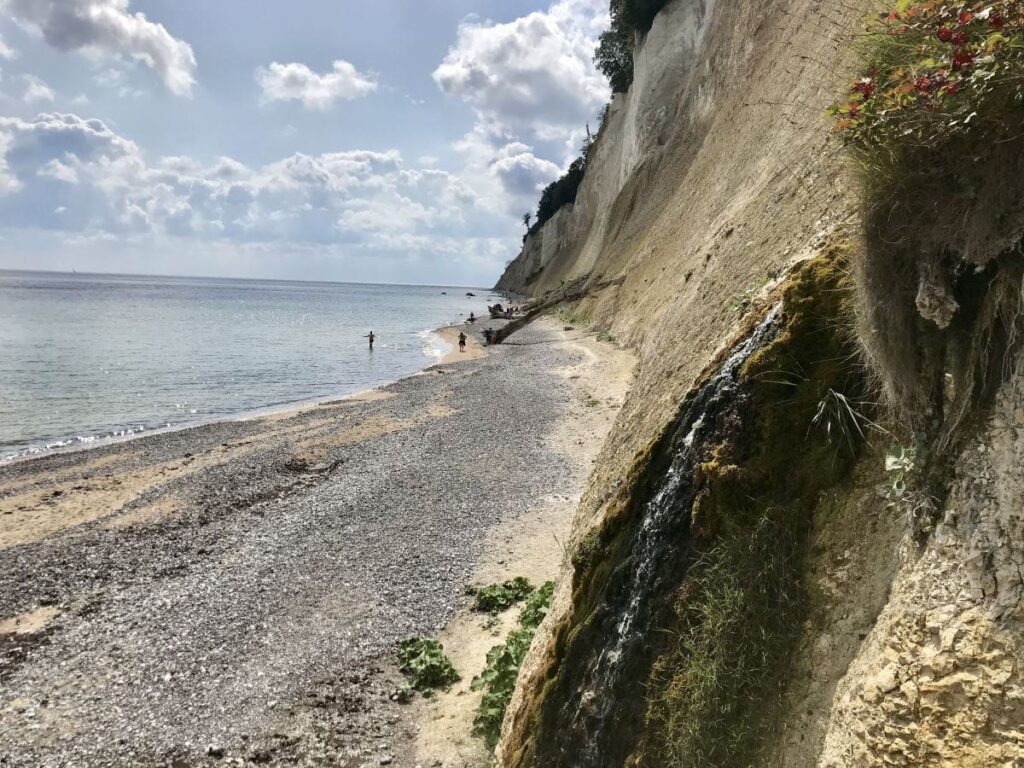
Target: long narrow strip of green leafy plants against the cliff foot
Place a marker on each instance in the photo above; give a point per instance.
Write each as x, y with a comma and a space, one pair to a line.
499, 676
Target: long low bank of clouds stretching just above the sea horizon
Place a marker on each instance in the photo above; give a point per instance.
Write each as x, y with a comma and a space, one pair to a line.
102, 183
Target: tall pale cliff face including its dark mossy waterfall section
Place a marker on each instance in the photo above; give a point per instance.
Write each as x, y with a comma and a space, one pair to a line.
711, 179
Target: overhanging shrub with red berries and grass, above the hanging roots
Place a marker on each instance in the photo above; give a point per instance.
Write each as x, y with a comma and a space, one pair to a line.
934, 123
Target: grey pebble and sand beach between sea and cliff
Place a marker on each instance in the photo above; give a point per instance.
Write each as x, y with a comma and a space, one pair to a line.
234, 593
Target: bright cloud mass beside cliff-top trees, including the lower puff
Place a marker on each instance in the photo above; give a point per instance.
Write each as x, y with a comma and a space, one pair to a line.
533, 87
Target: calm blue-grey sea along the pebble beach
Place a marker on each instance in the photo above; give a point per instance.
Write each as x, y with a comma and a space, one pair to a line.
84, 357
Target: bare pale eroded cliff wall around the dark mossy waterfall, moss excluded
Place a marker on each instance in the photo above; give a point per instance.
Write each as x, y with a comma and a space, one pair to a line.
711, 178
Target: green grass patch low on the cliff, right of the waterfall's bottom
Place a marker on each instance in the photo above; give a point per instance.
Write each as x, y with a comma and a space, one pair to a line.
718, 685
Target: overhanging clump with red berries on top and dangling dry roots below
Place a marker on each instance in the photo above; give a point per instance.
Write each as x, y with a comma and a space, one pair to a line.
935, 129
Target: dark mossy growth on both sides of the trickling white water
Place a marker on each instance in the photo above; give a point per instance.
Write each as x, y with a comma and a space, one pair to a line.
731, 586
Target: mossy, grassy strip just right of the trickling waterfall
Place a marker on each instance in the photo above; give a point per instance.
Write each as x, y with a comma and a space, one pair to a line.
717, 690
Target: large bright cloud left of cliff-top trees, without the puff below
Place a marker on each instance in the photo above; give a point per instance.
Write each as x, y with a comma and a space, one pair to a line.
532, 77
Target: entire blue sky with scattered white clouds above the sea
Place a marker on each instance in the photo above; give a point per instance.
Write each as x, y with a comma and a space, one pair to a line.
382, 141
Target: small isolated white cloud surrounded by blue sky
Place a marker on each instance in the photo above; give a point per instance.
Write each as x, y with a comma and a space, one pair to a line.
296, 82
